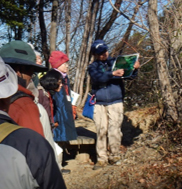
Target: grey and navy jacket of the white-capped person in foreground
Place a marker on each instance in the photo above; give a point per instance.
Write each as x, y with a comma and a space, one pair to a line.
28, 161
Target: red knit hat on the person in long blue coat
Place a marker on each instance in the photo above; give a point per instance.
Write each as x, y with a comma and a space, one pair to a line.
57, 58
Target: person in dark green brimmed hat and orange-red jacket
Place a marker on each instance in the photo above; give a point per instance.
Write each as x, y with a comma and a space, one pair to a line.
20, 56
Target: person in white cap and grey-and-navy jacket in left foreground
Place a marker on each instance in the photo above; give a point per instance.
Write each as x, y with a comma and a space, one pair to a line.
26, 158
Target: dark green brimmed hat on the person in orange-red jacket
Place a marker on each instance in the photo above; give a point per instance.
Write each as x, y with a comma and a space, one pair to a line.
20, 53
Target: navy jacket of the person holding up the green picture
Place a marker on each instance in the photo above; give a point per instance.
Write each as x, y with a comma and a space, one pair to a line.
107, 88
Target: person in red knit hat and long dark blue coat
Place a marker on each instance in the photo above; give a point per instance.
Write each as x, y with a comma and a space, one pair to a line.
63, 114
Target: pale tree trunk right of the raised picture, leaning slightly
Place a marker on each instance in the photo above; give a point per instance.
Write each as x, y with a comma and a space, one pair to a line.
167, 94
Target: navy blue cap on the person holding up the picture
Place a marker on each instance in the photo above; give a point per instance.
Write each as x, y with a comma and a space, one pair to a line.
99, 47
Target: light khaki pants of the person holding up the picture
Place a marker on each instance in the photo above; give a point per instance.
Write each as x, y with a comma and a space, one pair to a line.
108, 121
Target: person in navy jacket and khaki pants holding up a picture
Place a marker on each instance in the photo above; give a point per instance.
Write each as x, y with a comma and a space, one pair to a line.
108, 87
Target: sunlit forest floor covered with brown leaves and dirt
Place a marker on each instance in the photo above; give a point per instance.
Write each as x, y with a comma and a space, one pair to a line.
150, 160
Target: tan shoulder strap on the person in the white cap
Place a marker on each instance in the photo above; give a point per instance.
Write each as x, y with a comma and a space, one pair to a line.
7, 128
